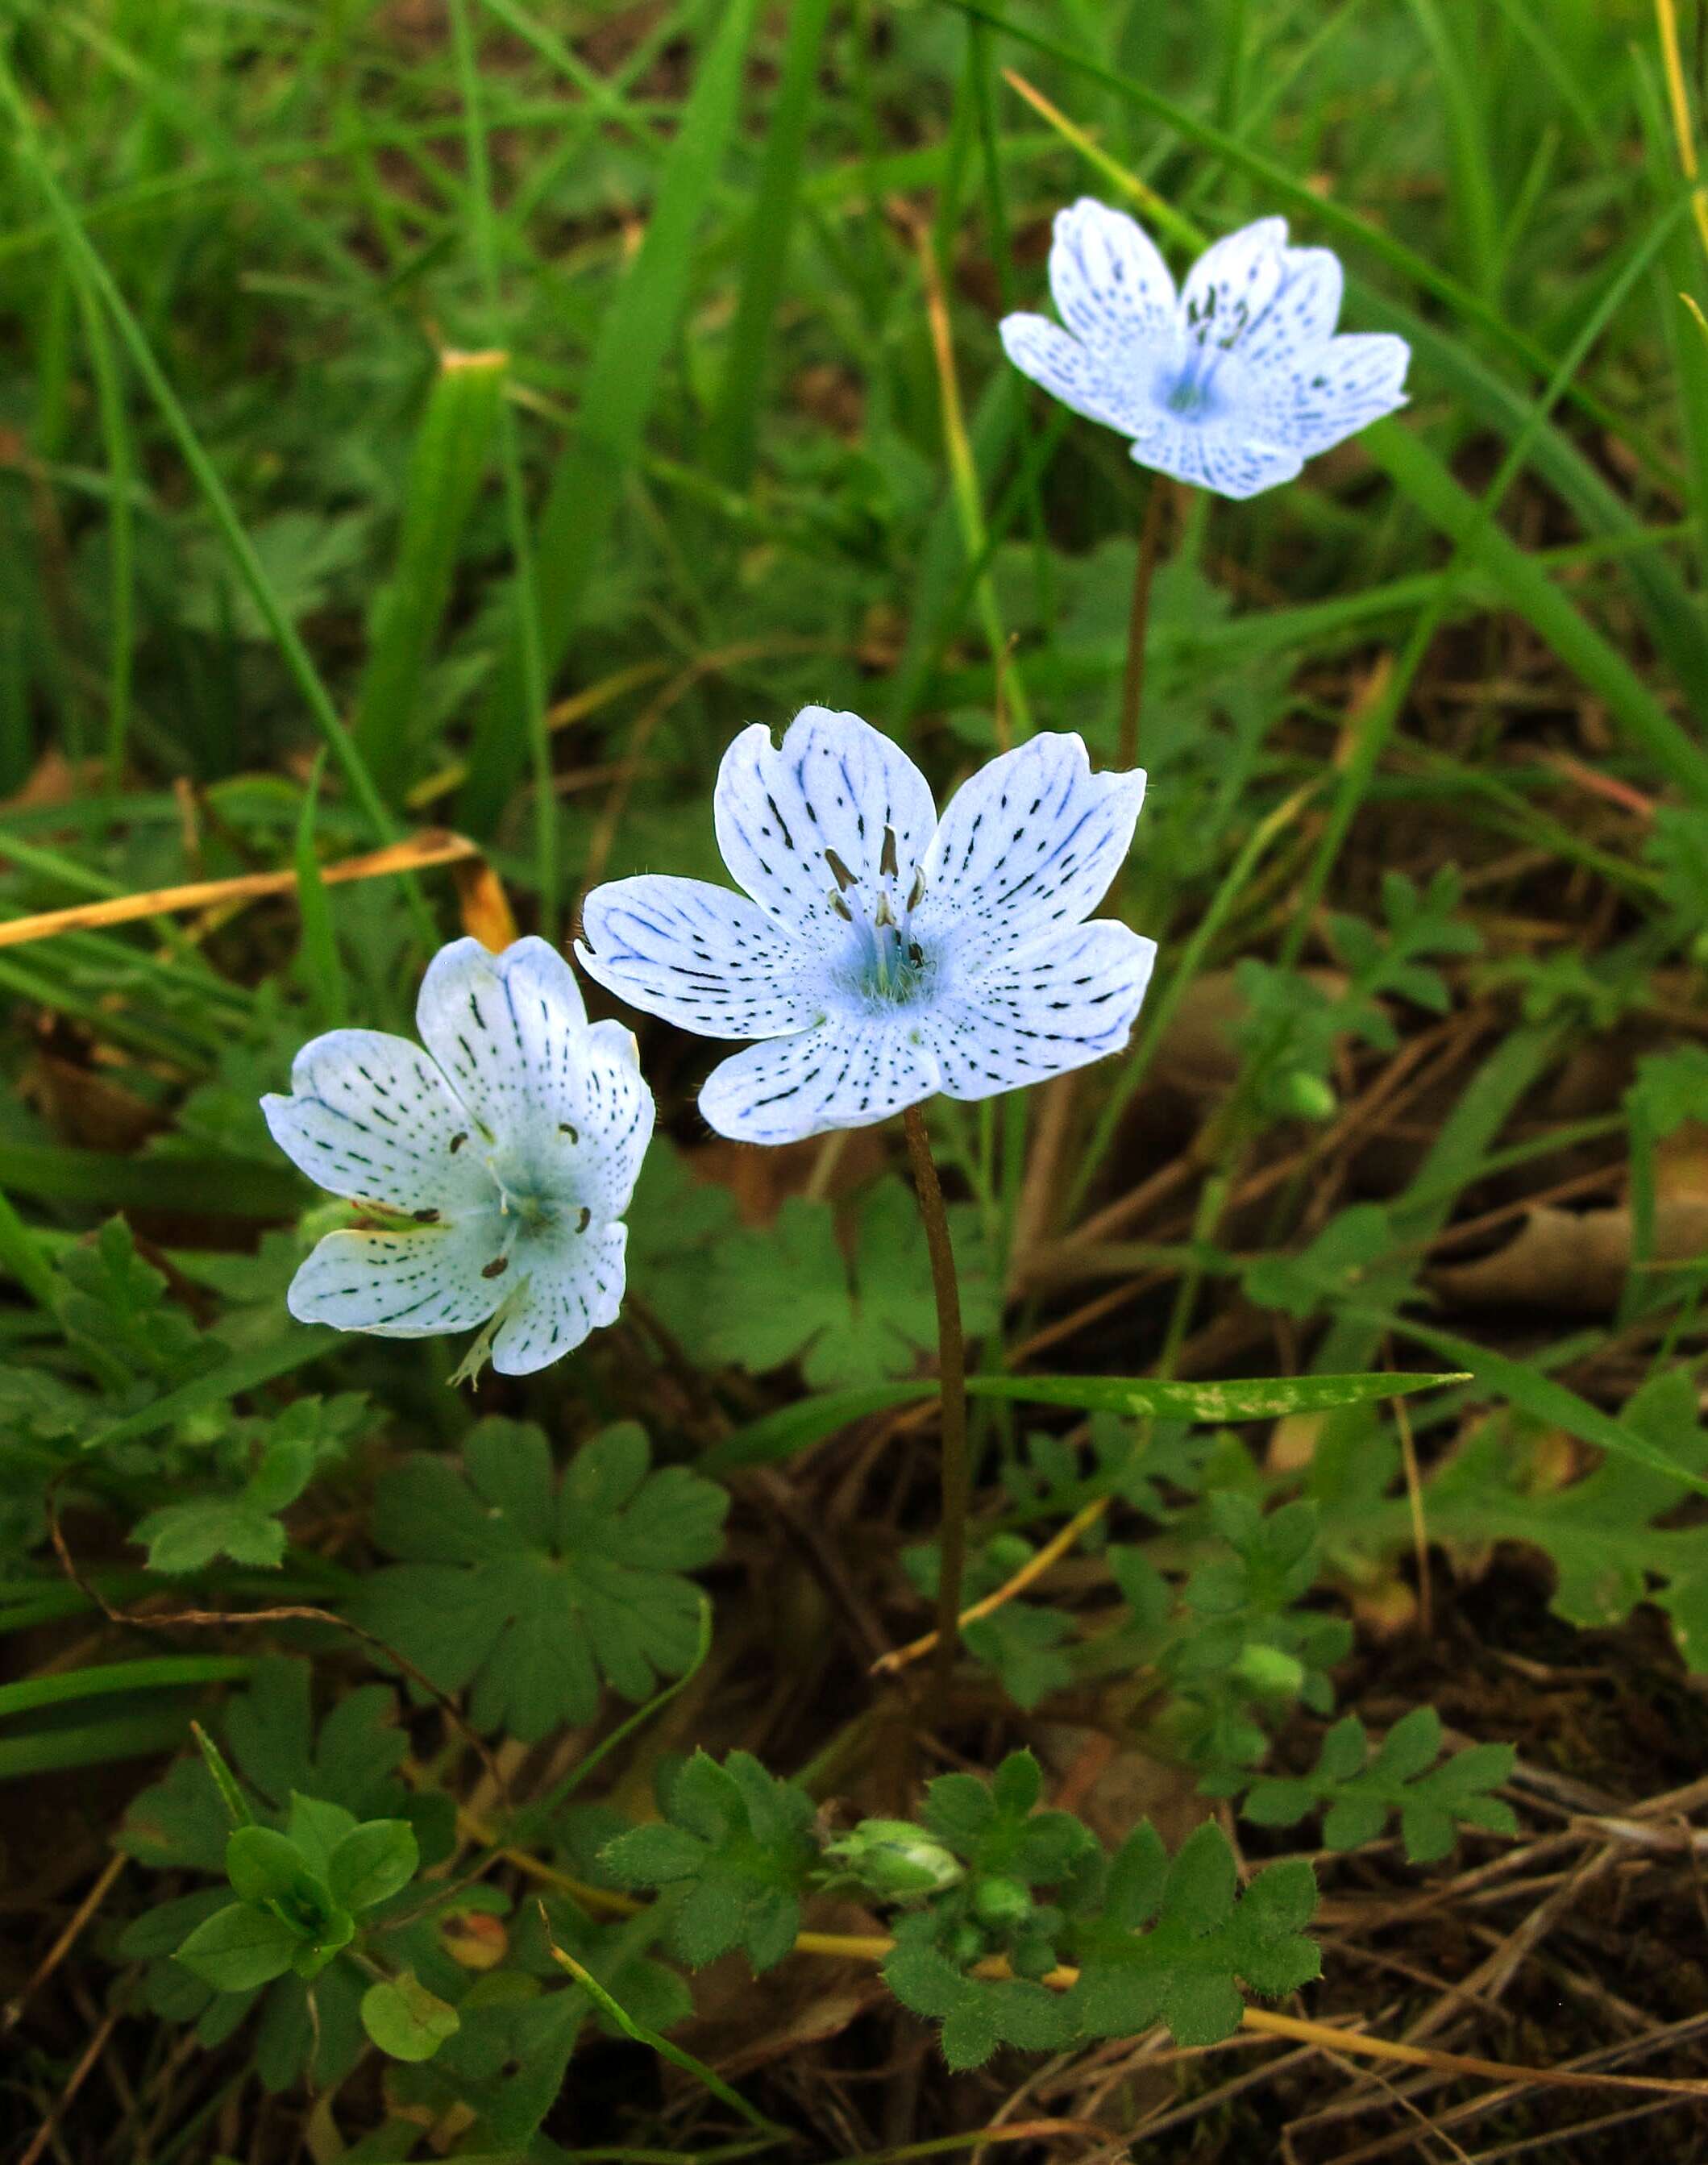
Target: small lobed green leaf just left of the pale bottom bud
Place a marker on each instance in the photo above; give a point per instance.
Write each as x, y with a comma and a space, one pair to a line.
735, 1850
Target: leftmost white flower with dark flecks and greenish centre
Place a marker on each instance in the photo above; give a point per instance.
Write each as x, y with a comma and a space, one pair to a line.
505, 1153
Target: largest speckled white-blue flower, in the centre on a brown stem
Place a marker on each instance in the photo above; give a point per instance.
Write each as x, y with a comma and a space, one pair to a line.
880, 954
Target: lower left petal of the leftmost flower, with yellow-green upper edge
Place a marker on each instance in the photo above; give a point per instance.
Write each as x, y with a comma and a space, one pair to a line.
404, 1285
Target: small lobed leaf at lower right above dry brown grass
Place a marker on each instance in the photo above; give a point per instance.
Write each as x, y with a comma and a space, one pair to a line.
1358, 1792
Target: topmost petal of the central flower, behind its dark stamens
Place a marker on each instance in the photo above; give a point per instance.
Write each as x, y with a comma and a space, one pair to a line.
835, 789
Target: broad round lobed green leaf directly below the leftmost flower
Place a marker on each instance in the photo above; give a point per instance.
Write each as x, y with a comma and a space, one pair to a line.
538, 1592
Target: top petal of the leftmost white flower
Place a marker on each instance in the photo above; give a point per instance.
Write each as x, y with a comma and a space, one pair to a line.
508, 1029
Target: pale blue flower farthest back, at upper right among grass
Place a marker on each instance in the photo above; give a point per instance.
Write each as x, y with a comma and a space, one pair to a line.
1229, 384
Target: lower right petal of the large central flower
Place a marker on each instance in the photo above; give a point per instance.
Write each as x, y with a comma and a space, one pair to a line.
1042, 1012
